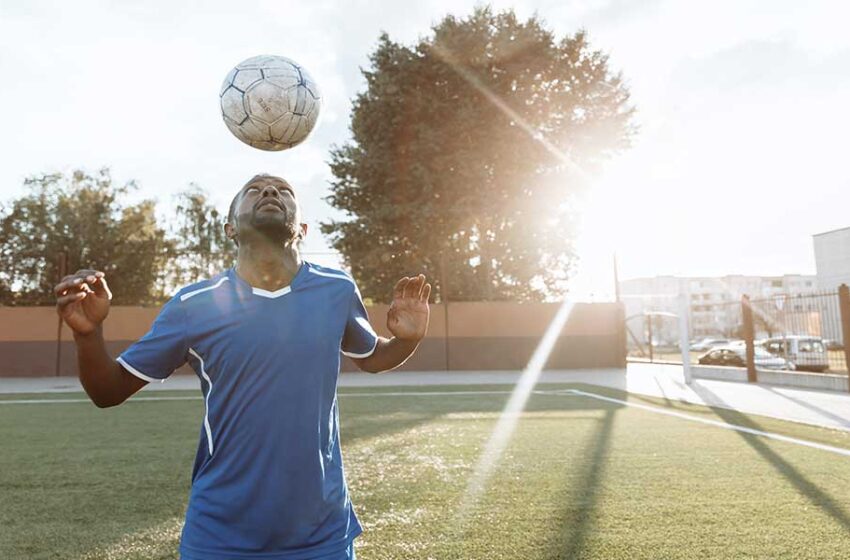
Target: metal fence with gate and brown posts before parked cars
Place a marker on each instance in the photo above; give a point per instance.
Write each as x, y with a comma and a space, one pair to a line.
799, 332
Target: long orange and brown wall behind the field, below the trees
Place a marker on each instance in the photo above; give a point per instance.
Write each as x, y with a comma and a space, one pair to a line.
482, 336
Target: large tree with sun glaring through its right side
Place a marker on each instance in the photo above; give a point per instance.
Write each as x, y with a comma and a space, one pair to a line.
467, 151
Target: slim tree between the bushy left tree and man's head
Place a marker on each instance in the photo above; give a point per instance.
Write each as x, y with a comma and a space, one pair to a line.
200, 247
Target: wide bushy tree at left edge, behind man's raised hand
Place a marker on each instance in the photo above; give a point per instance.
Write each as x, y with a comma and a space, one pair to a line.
85, 218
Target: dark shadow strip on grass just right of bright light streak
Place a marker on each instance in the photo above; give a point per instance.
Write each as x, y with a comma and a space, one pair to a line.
575, 522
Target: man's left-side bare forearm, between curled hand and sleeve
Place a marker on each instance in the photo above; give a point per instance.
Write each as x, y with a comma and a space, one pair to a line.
100, 375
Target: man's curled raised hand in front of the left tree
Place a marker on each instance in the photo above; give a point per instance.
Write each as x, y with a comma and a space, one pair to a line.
82, 300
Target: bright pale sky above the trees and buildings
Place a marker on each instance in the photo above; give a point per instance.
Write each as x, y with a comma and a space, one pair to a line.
742, 109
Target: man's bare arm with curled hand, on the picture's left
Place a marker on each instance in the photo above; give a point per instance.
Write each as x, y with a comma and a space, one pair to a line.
82, 300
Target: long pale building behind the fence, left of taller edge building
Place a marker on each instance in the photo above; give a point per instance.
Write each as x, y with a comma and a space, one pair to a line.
714, 303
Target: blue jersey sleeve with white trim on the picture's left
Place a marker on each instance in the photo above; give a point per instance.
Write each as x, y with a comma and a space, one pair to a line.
163, 349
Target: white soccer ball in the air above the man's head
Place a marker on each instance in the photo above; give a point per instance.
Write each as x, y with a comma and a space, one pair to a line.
270, 102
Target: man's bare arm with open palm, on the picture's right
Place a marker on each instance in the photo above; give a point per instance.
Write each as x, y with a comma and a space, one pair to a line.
407, 320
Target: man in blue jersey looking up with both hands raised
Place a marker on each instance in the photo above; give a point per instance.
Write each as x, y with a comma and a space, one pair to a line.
265, 339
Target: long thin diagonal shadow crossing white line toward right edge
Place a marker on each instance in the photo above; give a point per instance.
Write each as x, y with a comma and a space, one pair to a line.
818, 497
